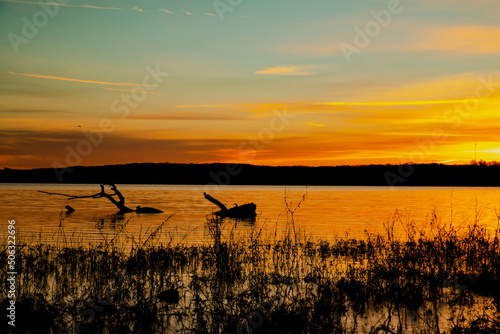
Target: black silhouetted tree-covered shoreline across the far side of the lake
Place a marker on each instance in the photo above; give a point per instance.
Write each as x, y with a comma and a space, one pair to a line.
483, 175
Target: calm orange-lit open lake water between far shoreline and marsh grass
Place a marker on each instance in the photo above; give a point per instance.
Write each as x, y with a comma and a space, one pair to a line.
327, 212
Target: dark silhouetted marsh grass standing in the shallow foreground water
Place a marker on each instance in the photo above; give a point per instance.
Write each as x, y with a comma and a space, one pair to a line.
439, 278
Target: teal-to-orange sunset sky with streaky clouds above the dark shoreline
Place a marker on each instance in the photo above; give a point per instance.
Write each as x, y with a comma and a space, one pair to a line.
274, 82
